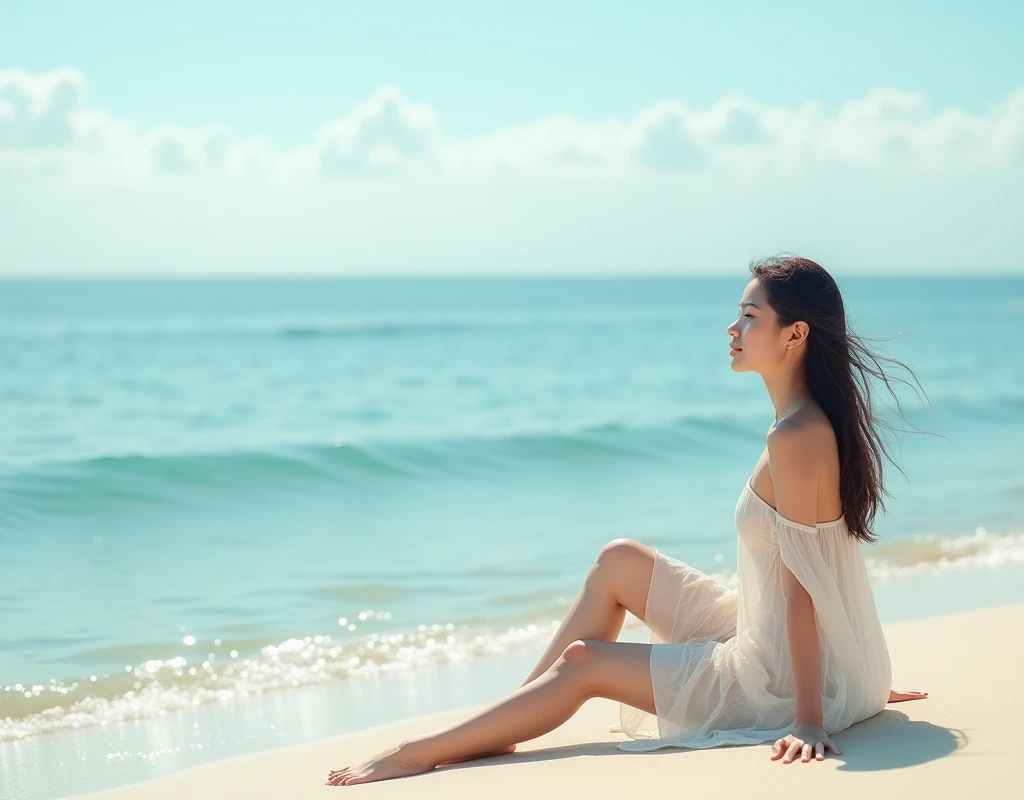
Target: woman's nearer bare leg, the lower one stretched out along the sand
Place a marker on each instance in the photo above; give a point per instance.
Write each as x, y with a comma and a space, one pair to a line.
620, 671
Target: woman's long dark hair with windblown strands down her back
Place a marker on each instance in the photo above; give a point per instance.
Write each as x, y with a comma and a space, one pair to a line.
837, 367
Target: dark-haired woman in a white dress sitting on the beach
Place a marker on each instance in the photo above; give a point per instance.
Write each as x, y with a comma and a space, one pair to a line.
797, 653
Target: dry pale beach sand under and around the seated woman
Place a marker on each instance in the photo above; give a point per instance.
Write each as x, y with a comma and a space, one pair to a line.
965, 738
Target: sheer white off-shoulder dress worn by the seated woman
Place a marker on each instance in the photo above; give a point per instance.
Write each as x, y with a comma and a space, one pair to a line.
720, 666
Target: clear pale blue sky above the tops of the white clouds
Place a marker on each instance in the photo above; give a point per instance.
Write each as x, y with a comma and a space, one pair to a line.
282, 68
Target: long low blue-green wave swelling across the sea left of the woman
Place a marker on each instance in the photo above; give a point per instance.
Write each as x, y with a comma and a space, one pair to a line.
134, 480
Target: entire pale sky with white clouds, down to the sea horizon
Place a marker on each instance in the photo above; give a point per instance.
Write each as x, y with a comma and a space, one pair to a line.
503, 139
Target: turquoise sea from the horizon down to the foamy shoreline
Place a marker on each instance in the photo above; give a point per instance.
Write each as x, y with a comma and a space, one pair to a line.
211, 490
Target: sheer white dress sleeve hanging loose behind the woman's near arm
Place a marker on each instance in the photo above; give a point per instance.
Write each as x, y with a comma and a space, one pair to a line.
829, 565
